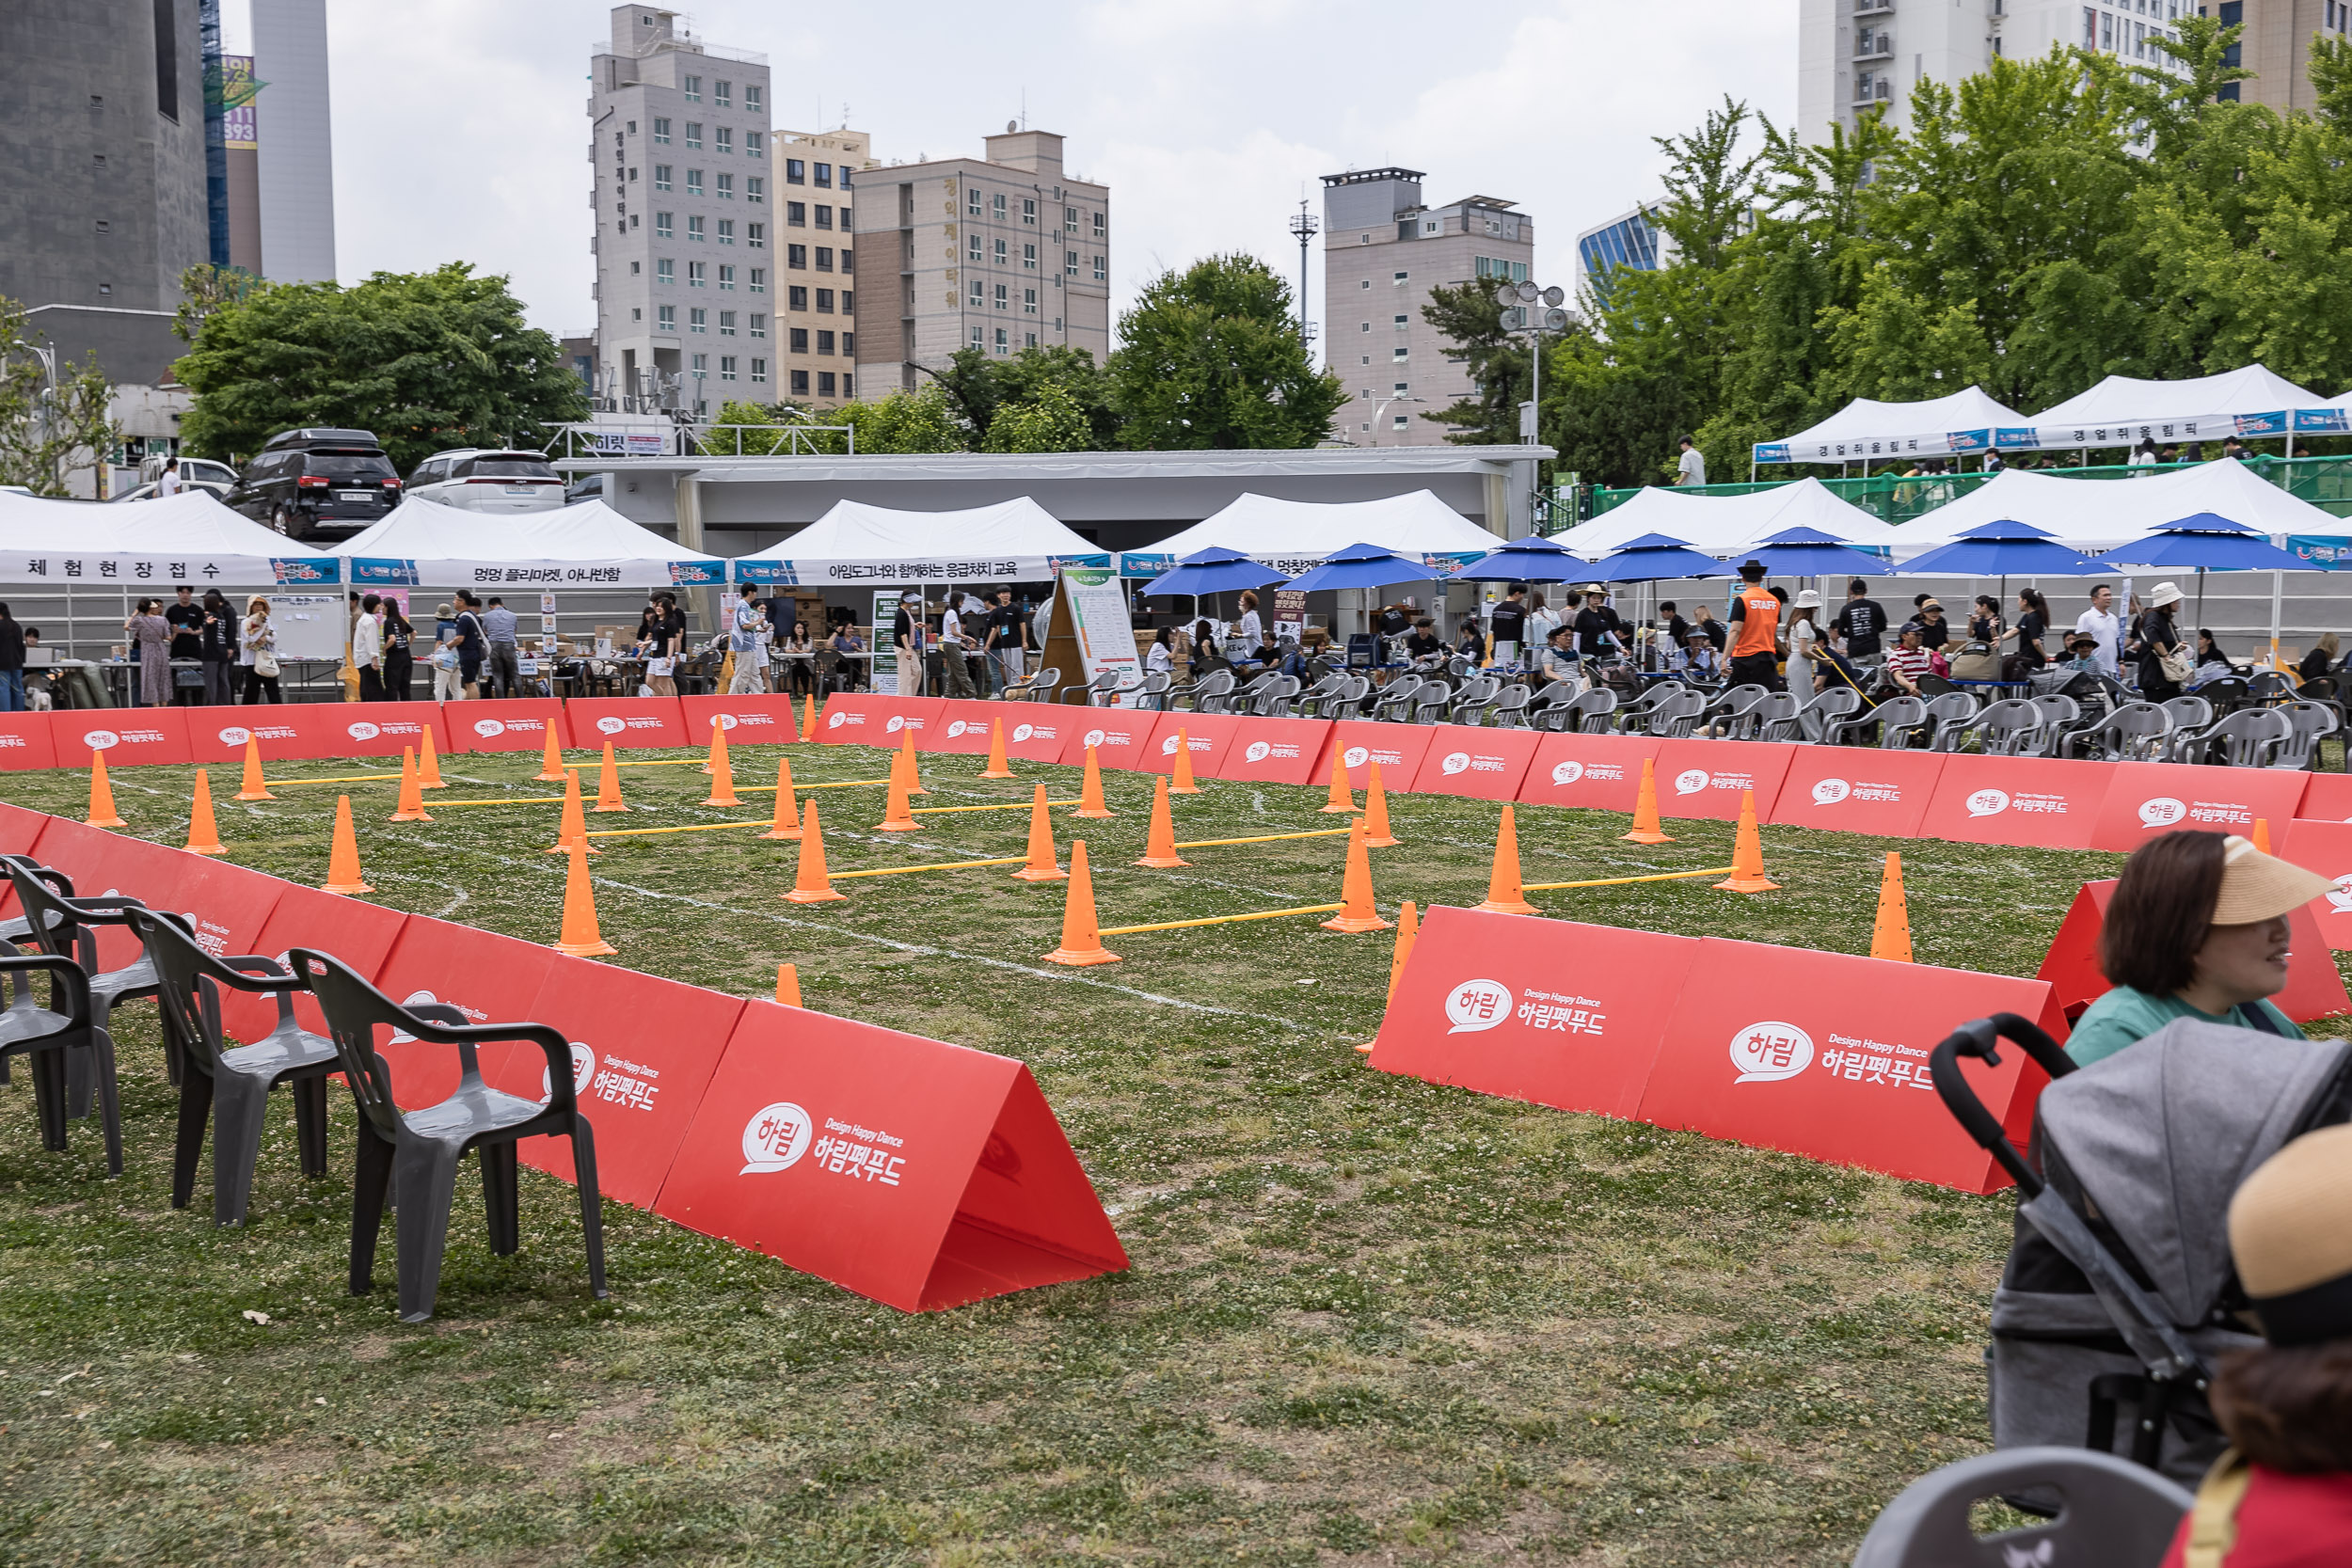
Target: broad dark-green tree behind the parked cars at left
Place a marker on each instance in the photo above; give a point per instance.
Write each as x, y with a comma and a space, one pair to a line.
427, 361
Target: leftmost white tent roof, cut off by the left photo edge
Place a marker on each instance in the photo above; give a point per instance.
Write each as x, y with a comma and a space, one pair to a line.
149, 544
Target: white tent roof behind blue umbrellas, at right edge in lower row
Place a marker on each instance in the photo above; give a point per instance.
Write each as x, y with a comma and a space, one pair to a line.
2099, 516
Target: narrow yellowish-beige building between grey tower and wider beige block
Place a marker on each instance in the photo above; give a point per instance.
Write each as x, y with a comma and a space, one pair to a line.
817, 335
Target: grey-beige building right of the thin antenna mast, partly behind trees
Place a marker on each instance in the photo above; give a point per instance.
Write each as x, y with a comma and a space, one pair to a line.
1384, 253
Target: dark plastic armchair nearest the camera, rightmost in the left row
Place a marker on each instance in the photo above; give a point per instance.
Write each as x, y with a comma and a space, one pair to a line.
417, 1153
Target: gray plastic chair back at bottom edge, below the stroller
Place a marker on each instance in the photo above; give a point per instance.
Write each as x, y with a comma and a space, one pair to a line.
2113, 1513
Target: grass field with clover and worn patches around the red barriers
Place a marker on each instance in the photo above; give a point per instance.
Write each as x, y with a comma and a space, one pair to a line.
1370, 1320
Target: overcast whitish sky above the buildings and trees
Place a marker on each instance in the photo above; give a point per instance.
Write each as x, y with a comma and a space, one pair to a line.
460, 126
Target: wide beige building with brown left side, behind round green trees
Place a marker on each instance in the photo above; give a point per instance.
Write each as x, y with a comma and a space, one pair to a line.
996, 253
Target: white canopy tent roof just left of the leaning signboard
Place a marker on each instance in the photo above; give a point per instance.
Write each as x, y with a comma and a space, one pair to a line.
874, 547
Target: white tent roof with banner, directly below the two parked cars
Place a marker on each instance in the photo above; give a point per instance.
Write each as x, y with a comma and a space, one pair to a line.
573, 547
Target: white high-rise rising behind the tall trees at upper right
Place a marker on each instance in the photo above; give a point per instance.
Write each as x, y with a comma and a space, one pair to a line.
1855, 55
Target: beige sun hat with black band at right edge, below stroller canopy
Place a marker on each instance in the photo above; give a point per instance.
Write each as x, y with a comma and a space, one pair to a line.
2292, 1240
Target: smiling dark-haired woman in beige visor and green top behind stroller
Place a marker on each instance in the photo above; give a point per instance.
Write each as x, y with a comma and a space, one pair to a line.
2196, 930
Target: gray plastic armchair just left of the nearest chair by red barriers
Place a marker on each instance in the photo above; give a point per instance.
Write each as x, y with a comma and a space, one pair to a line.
232, 1085
